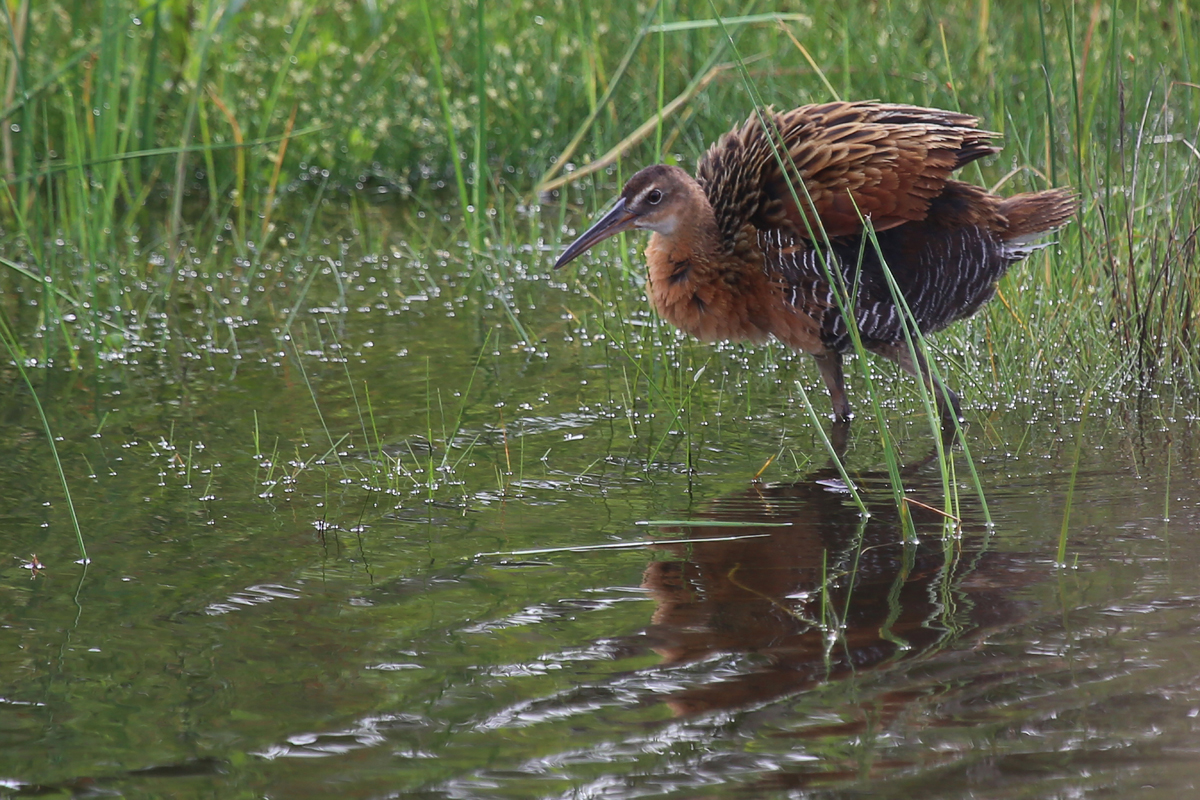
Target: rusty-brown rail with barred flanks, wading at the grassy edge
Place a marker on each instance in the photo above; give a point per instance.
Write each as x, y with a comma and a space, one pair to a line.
785, 230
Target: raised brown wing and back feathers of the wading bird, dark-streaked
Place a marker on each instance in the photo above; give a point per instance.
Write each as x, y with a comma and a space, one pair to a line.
885, 161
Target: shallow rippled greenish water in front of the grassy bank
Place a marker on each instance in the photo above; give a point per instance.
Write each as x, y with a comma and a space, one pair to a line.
397, 555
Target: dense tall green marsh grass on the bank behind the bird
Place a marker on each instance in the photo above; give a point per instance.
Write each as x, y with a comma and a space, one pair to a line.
137, 137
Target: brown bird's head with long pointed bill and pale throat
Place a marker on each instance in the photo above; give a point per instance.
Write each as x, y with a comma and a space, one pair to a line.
657, 199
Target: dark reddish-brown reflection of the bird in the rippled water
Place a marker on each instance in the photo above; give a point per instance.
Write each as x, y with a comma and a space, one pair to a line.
813, 592
